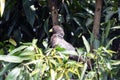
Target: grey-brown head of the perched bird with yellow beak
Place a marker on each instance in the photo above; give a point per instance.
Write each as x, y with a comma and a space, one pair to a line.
57, 30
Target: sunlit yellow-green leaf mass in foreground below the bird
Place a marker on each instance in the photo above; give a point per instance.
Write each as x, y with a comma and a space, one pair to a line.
29, 62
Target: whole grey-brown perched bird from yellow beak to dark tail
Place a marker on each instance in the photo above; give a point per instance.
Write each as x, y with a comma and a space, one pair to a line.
57, 39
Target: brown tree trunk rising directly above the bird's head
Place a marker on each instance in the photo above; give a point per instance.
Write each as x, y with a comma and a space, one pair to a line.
54, 11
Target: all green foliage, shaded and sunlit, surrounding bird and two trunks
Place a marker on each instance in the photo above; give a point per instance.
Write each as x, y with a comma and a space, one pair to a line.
24, 21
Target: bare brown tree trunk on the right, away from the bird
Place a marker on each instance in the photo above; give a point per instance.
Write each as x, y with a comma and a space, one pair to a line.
97, 18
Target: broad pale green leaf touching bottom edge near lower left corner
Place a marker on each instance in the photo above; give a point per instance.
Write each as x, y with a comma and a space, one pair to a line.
13, 74
